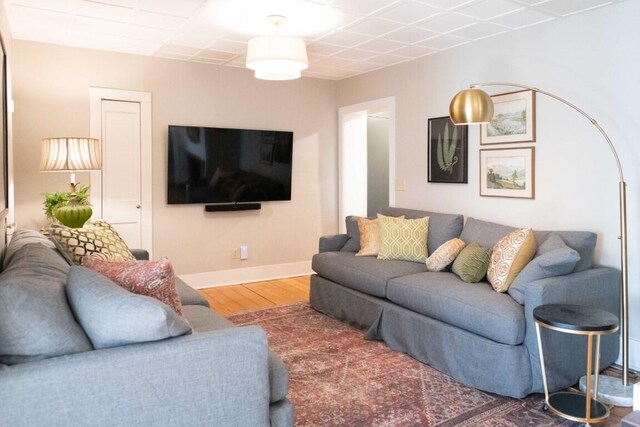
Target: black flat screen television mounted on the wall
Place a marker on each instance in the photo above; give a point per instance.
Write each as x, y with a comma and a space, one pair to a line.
220, 165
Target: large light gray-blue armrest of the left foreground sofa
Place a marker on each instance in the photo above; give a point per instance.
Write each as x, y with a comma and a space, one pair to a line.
212, 378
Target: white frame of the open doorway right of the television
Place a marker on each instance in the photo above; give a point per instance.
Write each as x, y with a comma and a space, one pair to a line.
344, 113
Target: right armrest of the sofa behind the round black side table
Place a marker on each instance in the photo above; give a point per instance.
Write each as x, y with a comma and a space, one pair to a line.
565, 355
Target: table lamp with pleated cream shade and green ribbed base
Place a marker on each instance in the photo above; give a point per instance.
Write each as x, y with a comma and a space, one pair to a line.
71, 155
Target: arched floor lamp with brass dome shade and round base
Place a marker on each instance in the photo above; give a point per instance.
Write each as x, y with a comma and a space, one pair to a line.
473, 105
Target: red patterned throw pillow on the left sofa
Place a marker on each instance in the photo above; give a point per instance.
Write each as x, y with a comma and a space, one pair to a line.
151, 278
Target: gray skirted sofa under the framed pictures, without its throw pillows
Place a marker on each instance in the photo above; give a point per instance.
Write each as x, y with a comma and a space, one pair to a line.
480, 337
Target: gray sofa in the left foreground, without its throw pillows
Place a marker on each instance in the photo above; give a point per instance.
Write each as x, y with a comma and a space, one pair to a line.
50, 375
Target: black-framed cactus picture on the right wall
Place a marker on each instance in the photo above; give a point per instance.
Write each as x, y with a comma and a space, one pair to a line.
447, 151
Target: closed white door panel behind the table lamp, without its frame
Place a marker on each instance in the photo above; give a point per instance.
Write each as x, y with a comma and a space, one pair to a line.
121, 169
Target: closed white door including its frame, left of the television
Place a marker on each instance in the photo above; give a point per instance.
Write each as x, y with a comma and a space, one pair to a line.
121, 193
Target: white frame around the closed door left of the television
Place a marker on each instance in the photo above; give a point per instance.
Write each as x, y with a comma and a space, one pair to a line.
96, 96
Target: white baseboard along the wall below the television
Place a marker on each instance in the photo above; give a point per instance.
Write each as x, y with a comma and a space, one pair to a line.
237, 276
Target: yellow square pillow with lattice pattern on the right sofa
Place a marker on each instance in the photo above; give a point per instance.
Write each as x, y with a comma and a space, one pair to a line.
403, 239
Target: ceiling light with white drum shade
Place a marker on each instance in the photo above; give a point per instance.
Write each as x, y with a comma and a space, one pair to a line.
277, 57
